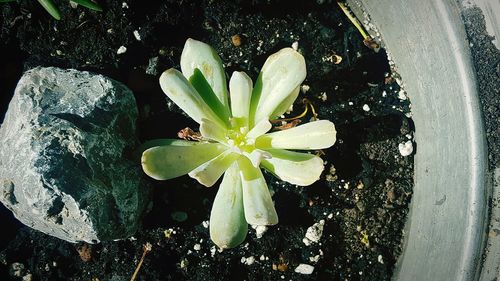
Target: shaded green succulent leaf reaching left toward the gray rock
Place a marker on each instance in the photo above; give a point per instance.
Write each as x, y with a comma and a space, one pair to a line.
171, 161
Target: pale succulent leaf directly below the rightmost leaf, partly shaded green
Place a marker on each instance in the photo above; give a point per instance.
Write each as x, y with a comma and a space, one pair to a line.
294, 167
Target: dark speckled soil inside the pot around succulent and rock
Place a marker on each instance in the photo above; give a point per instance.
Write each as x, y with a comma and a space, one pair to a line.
362, 197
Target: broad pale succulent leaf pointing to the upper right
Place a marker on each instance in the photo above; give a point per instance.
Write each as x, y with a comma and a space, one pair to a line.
279, 78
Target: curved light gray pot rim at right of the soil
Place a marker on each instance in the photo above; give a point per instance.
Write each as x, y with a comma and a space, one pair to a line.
448, 214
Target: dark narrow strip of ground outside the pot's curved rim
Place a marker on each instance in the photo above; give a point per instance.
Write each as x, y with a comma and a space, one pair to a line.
486, 58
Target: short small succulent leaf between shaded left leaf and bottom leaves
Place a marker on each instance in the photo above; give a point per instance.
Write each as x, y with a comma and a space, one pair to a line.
209, 172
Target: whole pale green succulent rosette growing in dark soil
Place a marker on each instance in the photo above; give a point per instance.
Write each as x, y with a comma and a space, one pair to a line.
234, 137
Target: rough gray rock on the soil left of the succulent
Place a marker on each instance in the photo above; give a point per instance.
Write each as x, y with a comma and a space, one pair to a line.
65, 148
